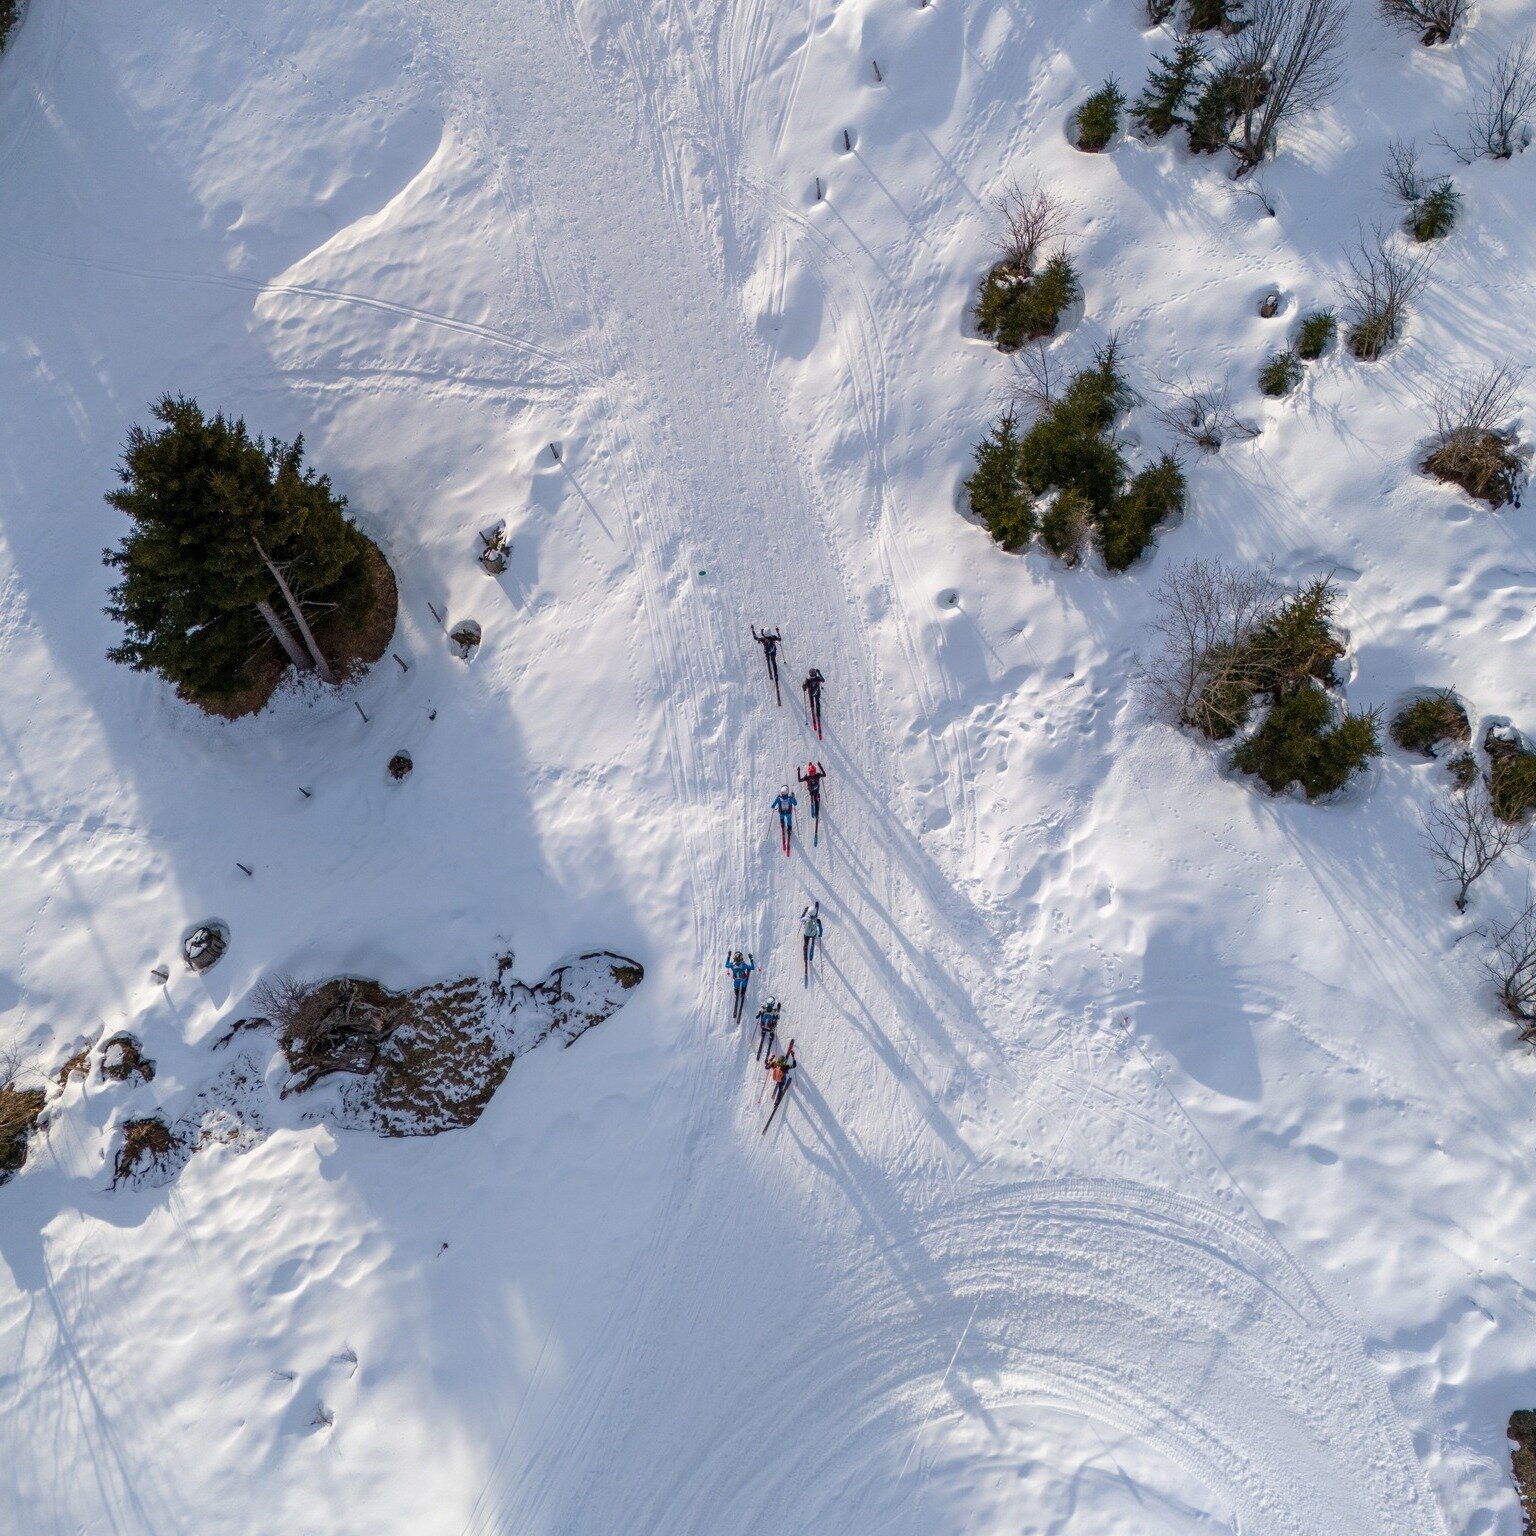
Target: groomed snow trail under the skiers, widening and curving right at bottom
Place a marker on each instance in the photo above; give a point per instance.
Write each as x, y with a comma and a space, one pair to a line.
873, 1188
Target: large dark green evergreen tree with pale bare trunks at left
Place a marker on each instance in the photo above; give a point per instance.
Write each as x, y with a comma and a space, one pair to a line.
233, 541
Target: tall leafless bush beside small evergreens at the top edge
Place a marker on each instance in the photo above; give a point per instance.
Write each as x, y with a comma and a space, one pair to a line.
1285, 62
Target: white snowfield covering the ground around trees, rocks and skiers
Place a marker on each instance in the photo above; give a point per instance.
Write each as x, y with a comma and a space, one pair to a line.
1159, 1160
